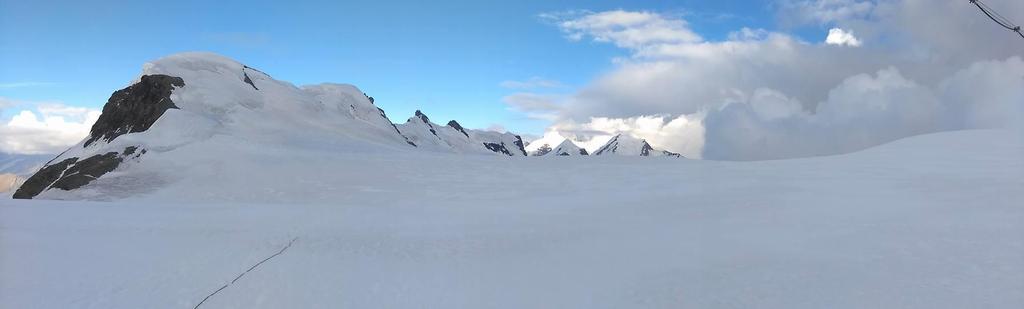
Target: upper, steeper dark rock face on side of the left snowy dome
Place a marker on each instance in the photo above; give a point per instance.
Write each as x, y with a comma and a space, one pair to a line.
136, 109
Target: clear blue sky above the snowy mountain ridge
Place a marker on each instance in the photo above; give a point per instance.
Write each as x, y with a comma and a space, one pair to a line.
447, 59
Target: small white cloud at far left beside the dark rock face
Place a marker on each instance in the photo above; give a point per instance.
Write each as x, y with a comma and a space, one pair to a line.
49, 129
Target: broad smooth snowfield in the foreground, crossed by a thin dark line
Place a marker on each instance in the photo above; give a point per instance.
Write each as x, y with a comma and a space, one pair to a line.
934, 222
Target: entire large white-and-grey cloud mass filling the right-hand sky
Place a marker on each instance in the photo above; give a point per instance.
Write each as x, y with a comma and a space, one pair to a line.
760, 95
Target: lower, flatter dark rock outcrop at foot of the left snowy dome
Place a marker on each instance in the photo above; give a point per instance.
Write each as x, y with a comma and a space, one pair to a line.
73, 173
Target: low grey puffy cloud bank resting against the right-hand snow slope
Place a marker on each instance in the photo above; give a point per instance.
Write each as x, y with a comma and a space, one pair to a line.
868, 110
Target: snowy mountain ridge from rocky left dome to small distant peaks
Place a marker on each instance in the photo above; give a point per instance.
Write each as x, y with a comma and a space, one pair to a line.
193, 110
